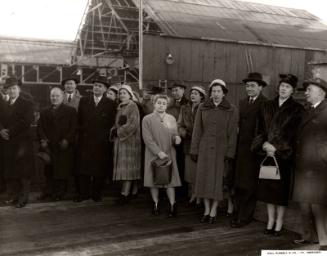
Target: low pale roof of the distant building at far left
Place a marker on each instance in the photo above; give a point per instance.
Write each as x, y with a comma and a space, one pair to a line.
29, 51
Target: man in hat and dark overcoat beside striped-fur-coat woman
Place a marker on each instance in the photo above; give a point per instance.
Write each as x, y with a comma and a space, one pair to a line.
96, 116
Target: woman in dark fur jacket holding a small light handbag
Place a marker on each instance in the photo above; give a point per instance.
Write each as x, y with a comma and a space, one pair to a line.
277, 121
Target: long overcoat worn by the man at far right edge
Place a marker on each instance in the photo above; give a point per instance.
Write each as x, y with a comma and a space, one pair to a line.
310, 183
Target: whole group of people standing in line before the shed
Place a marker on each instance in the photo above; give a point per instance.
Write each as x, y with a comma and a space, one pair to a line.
214, 146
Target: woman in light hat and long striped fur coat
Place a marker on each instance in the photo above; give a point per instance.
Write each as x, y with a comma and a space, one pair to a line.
127, 144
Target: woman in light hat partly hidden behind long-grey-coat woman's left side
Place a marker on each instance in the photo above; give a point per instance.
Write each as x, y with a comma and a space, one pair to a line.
185, 130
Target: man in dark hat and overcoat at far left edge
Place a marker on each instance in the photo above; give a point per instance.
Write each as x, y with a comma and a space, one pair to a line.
17, 140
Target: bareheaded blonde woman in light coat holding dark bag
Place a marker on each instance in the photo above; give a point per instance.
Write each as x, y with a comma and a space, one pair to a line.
159, 131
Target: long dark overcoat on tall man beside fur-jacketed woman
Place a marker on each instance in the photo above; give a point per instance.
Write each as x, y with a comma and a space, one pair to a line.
247, 163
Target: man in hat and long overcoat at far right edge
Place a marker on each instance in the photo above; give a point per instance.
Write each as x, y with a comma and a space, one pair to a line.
310, 183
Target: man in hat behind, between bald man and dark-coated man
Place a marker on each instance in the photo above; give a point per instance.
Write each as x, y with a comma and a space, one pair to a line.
71, 94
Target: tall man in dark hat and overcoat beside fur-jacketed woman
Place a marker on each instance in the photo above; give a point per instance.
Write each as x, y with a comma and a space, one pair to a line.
247, 164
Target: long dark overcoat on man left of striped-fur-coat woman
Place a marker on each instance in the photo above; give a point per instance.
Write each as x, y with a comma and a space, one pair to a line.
95, 122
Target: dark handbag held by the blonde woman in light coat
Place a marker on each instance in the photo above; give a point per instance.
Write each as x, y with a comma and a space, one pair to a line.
162, 171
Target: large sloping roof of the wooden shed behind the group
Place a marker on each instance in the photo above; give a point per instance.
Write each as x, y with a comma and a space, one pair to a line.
238, 21
